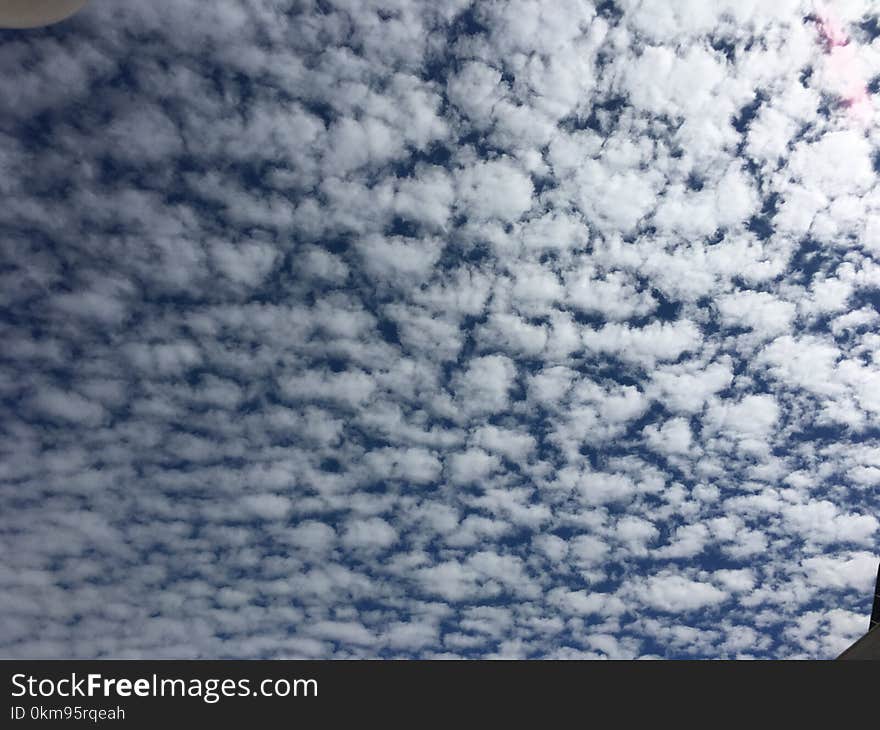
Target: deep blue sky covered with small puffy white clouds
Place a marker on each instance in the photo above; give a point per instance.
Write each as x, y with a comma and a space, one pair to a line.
440, 329
